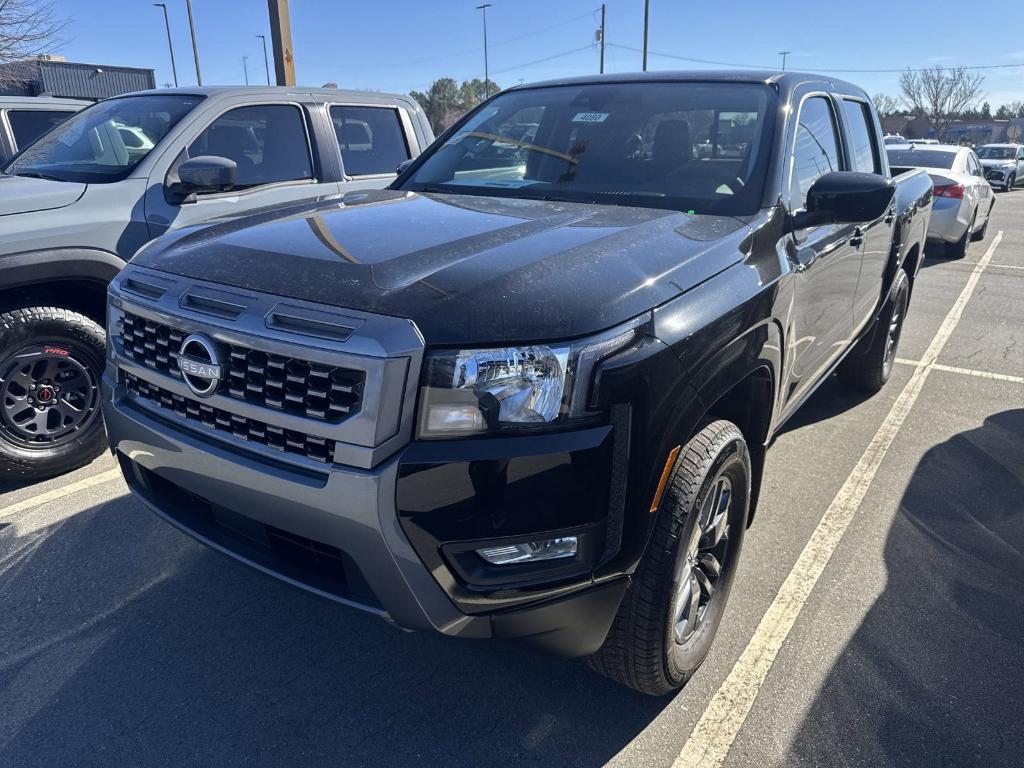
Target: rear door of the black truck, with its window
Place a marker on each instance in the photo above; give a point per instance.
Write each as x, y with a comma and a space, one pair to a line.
864, 155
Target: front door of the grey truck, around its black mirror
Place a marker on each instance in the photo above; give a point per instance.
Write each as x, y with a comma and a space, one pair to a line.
270, 142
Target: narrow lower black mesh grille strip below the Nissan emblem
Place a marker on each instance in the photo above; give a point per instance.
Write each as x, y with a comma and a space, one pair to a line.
285, 441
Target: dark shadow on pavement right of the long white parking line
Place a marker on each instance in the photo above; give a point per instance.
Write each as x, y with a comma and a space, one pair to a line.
935, 673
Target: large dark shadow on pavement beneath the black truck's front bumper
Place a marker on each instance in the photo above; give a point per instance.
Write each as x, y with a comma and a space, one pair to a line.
123, 643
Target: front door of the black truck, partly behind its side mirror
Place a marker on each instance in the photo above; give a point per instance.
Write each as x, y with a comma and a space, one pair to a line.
826, 260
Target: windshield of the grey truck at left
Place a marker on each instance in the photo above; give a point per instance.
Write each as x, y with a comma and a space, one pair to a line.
104, 143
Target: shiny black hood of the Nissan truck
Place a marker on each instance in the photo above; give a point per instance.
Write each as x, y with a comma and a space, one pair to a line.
465, 269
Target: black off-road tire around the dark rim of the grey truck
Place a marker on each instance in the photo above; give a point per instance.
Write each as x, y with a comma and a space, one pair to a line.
75, 340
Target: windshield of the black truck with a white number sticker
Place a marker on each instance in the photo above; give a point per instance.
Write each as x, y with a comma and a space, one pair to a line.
701, 147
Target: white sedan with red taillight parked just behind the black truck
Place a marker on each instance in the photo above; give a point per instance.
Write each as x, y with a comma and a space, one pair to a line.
964, 199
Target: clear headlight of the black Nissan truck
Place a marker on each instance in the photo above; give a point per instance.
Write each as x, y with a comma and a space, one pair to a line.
472, 392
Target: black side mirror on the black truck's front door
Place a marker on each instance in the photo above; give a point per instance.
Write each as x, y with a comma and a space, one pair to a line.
845, 198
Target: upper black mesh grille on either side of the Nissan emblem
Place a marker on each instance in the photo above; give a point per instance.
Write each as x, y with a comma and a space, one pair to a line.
291, 386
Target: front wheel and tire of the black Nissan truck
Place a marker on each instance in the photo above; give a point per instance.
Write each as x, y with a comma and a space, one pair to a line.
673, 609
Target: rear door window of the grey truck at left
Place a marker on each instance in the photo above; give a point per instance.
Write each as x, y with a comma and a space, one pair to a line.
371, 140
